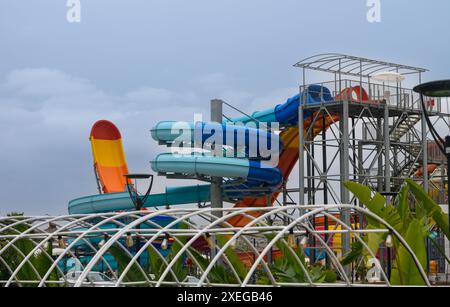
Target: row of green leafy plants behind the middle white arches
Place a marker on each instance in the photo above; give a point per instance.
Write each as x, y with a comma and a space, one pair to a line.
285, 269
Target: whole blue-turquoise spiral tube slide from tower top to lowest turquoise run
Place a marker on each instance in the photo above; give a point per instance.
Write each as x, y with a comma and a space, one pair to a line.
250, 174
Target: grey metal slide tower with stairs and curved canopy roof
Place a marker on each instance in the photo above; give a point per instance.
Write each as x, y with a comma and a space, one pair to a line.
381, 137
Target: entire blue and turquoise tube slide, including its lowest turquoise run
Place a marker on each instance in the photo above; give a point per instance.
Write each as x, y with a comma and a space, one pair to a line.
240, 173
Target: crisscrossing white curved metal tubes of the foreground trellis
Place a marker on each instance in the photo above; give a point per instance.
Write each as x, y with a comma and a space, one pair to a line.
258, 226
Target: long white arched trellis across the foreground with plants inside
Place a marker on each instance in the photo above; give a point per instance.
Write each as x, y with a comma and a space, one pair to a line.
194, 246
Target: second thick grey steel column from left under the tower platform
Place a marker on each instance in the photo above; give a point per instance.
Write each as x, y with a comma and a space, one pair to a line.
345, 174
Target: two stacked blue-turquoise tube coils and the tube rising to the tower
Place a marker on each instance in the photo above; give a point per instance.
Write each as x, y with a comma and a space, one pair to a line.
254, 174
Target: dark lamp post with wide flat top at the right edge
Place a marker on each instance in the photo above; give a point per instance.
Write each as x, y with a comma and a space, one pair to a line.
438, 89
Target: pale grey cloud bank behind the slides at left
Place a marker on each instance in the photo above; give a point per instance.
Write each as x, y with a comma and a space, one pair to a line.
46, 116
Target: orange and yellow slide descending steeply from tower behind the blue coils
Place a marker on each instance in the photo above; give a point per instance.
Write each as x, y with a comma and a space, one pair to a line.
287, 160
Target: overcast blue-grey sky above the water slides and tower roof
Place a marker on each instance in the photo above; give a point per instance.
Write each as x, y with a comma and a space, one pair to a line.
136, 62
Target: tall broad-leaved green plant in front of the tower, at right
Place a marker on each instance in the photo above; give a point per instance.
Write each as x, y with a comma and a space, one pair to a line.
414, 227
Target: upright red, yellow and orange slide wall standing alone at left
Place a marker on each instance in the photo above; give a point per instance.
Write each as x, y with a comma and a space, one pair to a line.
109, 158
